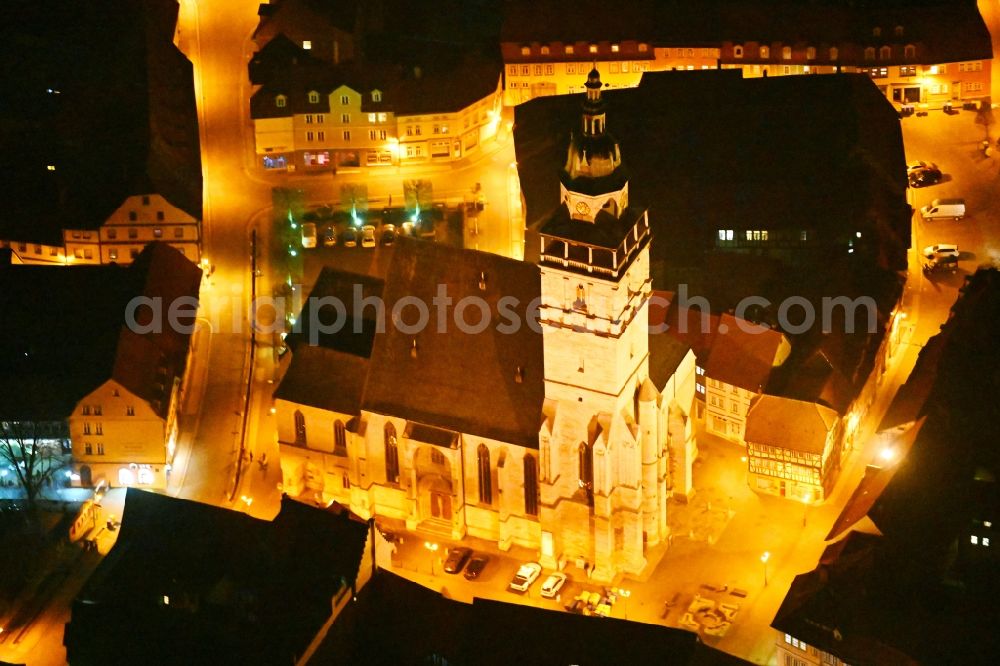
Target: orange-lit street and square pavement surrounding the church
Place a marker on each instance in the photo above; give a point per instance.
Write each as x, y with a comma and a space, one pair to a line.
728, 526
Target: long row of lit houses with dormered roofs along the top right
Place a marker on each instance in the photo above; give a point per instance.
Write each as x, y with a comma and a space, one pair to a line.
911, 55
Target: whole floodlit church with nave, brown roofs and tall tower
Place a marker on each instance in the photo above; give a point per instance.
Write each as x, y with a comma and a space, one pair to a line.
565, 434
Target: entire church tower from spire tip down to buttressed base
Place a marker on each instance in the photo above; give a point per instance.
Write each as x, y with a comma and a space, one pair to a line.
594, 460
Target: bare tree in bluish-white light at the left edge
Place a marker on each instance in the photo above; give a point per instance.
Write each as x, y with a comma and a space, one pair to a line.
34, 453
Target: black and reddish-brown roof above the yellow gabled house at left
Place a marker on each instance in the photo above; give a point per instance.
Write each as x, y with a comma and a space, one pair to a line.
47, 366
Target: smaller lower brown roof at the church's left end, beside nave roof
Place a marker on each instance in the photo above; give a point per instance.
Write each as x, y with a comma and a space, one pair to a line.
325, 379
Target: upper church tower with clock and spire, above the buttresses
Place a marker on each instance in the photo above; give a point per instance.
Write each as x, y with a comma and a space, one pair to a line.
595, 273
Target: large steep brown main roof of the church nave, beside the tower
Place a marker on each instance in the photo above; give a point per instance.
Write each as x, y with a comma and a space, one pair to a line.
457, 380
